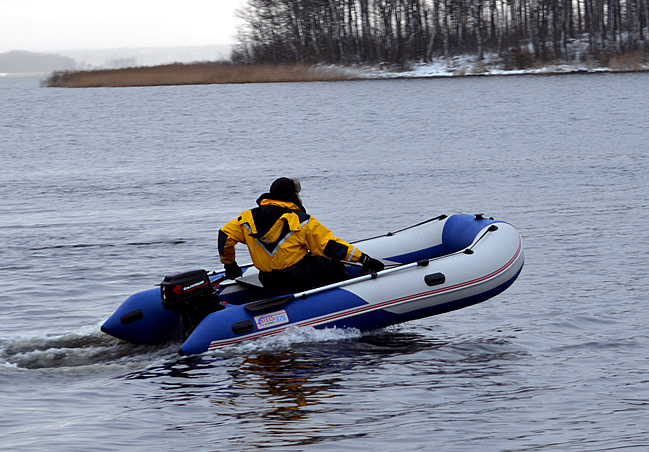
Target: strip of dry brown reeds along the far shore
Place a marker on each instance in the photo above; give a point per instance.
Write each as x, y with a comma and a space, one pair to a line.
195, 74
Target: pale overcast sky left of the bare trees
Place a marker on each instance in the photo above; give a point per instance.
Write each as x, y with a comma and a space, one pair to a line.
48, 25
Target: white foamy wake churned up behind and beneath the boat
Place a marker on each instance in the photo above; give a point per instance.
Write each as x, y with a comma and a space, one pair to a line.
88, 351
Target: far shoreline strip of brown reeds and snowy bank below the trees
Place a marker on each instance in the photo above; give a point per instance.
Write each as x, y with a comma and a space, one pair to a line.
203, 73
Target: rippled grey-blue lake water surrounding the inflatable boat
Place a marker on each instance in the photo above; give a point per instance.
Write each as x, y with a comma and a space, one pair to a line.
104, 191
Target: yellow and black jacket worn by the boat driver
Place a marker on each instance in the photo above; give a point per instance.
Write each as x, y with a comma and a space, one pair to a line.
279, 234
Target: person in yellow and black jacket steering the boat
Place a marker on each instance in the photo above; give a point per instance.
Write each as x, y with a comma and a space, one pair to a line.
292, 250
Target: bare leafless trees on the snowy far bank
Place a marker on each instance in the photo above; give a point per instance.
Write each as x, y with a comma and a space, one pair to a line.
401, 31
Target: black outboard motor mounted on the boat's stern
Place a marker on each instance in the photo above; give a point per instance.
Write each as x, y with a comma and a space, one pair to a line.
192, 295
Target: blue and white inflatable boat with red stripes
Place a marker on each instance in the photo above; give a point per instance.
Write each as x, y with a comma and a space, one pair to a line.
436, 266
